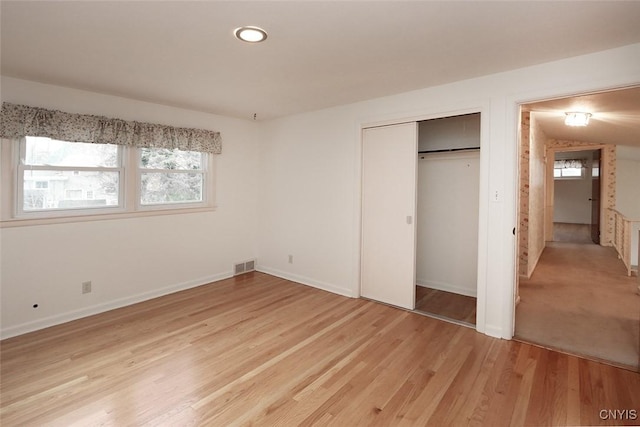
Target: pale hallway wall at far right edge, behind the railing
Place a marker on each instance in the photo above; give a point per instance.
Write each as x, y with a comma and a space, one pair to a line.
628, 191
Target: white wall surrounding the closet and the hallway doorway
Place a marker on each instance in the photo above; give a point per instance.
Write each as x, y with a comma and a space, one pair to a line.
310, 177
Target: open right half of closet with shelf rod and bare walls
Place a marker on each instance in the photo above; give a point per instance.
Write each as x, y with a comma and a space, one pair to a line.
447, 206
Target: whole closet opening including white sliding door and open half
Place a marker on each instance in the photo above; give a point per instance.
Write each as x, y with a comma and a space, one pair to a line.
420, 228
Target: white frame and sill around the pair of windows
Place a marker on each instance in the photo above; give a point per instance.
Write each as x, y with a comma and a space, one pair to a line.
12, 152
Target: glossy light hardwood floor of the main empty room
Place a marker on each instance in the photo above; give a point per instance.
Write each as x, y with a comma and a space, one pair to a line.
261, 350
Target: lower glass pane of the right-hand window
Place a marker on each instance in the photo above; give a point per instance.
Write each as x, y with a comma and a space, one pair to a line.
163, 188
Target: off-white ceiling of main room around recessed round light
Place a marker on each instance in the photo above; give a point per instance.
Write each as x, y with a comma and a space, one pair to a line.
319, 53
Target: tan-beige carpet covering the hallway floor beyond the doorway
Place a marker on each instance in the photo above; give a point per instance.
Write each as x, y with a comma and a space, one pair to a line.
580, 300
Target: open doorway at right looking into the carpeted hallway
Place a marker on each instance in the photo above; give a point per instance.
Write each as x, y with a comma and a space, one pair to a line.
573, 293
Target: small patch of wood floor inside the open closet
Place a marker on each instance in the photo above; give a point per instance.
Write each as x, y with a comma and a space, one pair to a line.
460, 308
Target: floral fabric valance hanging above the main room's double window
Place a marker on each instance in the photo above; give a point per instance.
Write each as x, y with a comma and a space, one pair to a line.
17, 121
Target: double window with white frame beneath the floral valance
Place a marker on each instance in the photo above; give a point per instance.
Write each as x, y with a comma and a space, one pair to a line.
60, 178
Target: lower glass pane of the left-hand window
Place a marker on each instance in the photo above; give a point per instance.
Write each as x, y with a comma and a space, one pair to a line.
57, 189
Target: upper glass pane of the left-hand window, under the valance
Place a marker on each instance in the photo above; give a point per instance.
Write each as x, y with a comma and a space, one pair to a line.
49, 152
